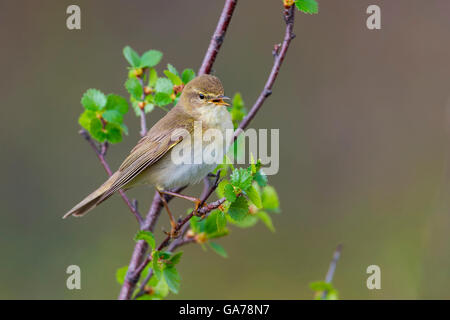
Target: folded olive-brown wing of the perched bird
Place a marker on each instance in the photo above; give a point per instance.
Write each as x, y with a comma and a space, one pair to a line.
152, 147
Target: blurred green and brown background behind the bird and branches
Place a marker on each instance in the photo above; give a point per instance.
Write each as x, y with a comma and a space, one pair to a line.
363, 118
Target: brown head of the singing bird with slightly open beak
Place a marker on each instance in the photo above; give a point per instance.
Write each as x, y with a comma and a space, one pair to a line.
202, 91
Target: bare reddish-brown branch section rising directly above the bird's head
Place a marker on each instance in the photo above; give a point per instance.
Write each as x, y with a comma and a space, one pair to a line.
218, 37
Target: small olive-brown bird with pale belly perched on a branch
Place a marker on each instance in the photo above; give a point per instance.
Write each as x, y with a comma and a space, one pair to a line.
150, 161
